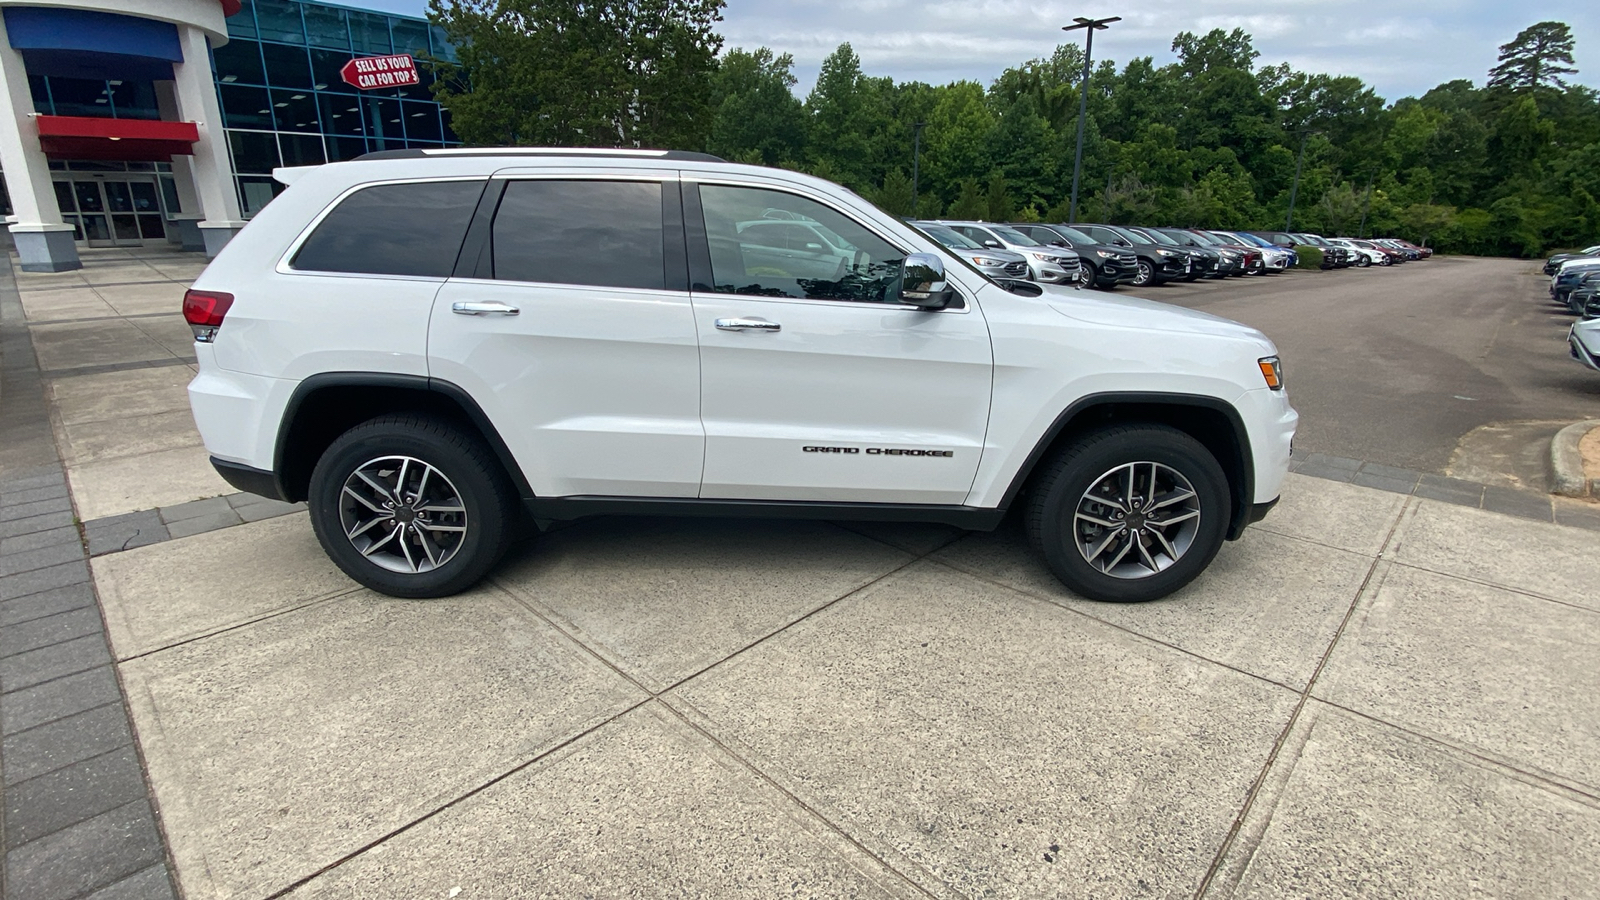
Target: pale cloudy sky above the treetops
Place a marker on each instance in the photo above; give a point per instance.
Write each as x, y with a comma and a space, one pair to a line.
1401, 49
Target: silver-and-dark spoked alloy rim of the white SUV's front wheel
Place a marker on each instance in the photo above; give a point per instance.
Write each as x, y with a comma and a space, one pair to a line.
1137, 520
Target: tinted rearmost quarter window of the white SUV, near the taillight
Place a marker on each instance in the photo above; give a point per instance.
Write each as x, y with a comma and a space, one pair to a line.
394, 230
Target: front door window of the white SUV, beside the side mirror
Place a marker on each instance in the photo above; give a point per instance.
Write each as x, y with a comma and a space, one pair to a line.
774, 244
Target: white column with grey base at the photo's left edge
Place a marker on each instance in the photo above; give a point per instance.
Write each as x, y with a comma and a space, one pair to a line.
44, 241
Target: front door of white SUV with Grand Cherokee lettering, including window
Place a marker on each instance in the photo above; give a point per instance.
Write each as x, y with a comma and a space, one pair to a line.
820, 387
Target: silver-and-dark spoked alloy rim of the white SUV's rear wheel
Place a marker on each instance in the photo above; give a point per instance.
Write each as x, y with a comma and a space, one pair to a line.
402, 515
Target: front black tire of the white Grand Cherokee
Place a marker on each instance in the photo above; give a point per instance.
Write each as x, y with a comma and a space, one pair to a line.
1066, 481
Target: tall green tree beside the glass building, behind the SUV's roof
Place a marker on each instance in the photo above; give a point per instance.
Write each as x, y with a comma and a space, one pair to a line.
566, 73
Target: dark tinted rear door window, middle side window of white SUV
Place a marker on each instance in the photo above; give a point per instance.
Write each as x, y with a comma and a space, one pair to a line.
582, 233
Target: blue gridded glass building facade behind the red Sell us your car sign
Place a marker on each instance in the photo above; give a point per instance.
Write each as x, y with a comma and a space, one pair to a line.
284, 102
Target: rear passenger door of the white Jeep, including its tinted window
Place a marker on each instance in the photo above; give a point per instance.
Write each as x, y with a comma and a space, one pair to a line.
572, 327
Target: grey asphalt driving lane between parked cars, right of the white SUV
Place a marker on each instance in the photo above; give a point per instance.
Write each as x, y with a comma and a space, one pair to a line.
1452, 366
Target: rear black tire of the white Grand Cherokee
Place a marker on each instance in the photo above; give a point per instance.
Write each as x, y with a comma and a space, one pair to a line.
470, 472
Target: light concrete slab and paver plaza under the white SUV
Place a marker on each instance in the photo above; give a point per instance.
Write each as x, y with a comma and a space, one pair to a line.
1374, 694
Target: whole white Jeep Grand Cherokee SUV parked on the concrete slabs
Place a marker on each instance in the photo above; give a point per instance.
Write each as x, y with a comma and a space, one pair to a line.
433, 345
